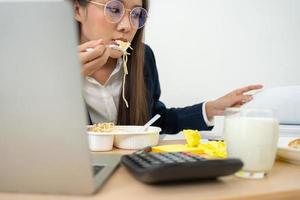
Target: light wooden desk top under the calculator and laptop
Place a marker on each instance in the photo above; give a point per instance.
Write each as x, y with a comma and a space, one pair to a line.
282, 183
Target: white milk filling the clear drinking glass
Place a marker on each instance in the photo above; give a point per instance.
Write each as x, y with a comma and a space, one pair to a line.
253, 140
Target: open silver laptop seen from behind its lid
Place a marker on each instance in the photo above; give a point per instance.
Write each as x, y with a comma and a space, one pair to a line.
43, 141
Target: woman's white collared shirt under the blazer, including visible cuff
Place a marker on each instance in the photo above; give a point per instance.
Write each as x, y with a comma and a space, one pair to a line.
103, 100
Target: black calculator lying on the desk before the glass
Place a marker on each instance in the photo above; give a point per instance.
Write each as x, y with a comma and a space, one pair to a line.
154, 168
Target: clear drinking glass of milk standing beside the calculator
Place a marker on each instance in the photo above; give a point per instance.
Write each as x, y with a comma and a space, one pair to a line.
251, 135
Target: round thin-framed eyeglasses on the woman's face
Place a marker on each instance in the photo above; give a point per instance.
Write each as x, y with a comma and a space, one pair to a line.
114, 11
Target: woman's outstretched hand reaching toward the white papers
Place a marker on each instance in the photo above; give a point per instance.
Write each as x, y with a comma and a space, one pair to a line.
235, 98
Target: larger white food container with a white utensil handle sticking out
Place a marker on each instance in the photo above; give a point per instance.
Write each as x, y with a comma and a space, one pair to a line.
133, 137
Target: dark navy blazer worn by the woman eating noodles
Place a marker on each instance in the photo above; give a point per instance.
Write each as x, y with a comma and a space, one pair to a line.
172, 120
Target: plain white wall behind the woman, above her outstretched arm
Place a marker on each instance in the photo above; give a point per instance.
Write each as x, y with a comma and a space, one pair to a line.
206, 48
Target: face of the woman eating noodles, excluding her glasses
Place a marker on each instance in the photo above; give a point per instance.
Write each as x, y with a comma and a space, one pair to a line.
95, 26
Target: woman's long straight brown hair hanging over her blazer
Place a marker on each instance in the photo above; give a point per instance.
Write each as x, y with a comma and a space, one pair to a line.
135, 88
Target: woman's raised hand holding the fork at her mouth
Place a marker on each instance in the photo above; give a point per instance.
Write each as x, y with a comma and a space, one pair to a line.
93, 55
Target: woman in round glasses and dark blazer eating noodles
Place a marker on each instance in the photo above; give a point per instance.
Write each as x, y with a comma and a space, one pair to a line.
101, 23
